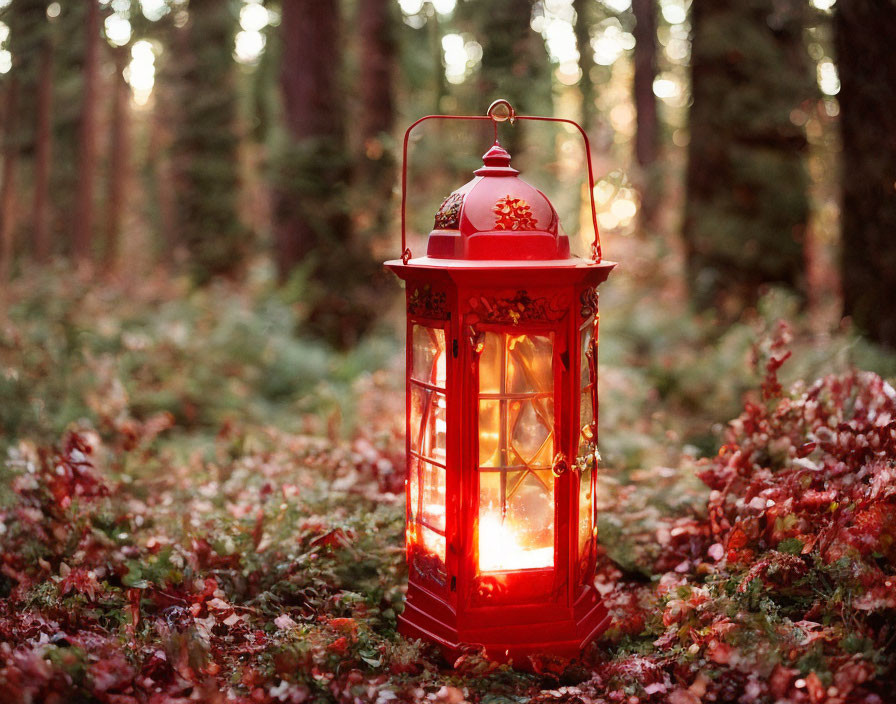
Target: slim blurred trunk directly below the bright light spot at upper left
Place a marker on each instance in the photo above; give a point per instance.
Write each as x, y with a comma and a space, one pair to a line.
118, 178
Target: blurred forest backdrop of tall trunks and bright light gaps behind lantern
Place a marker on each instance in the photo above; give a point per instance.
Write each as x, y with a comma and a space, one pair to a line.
206, 137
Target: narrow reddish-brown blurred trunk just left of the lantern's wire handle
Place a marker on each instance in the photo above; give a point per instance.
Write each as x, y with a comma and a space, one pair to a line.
376, 164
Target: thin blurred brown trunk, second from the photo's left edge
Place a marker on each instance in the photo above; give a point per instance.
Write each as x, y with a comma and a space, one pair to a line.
43, 149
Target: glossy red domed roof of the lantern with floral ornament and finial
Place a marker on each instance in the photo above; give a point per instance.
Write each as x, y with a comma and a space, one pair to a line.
497, 216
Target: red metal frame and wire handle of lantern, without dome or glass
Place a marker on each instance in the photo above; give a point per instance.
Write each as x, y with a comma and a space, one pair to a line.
512, 614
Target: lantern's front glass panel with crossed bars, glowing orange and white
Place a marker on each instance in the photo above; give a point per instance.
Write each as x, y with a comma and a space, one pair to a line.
516, 447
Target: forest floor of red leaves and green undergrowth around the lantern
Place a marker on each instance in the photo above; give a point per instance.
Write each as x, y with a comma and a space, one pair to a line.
196, 504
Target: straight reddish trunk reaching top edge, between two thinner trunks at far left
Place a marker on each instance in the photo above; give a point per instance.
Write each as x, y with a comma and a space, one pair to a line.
87, 153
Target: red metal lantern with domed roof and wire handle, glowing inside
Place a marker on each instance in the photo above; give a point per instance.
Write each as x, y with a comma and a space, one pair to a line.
501, 420
